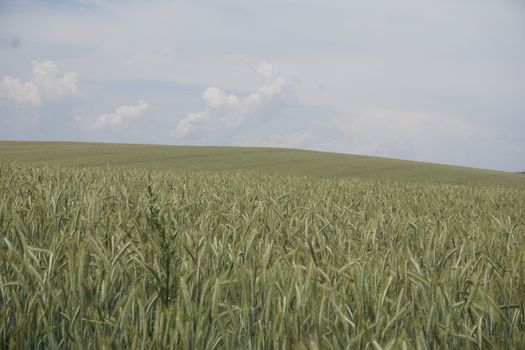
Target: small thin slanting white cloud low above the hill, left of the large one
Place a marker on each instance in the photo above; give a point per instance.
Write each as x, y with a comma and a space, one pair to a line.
114, 119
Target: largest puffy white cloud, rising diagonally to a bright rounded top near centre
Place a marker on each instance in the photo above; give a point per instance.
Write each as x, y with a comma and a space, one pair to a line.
224, 110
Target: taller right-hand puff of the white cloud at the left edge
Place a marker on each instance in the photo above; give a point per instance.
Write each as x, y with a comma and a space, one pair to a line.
47, 76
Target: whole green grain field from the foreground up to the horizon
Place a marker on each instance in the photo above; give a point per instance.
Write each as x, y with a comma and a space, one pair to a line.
150, 247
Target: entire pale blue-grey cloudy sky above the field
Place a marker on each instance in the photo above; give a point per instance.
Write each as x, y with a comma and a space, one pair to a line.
435, 81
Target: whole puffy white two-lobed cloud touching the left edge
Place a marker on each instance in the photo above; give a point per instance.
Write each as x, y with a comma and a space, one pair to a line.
46, 80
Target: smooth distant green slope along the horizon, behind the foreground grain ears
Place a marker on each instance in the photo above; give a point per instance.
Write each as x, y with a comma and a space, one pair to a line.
269, 160
